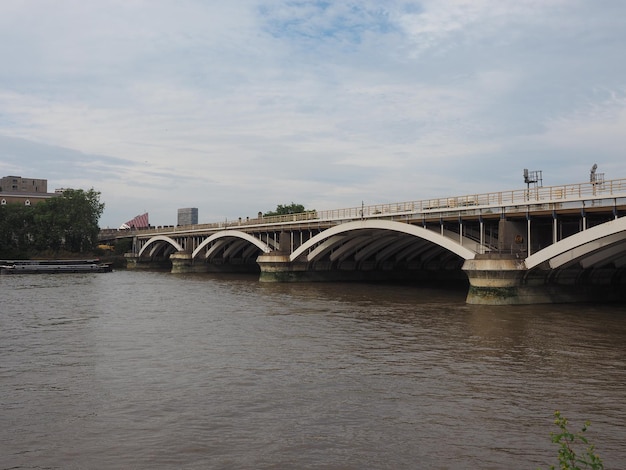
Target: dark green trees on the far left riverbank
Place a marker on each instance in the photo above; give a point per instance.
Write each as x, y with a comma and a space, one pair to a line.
66, 223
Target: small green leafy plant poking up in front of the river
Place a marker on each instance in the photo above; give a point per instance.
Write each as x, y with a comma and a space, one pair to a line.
567, 441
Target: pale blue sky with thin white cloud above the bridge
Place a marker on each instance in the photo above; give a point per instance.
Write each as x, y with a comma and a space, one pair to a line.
236, 107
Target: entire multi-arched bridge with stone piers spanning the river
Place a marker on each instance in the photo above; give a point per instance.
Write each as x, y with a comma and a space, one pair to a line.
536, 245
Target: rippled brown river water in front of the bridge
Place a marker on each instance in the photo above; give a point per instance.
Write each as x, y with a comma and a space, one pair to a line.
147, 370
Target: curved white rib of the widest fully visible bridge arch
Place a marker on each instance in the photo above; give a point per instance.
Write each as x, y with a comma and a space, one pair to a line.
334, 234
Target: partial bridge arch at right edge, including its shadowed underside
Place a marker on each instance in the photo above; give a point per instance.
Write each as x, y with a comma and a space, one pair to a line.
595, 246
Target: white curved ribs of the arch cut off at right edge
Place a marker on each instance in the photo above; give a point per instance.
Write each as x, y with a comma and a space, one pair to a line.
578, 246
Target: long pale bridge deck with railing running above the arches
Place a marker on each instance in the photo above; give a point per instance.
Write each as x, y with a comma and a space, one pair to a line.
541, 201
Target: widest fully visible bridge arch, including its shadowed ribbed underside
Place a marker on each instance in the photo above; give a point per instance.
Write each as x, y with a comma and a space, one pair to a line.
379, 241
